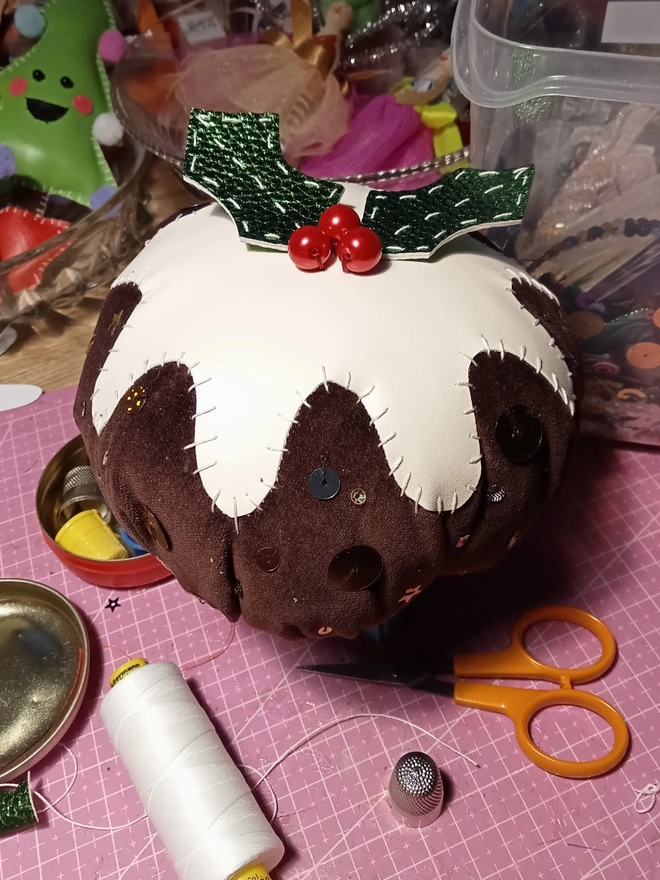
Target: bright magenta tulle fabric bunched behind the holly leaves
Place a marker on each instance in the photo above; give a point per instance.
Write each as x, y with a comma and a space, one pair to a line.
384, 134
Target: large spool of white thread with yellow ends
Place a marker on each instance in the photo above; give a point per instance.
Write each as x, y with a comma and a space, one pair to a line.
193, 793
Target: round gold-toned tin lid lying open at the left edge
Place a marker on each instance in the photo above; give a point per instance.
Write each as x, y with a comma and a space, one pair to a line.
44, 670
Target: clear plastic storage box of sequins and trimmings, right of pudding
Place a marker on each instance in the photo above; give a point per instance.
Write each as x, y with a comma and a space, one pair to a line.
574, 88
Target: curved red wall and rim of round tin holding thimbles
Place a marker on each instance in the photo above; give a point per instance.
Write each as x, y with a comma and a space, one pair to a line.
136, 571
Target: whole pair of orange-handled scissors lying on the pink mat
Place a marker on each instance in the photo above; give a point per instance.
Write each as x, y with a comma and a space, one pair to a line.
518, 704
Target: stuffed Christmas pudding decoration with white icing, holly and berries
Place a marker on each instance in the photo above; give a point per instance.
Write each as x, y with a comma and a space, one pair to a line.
313, 448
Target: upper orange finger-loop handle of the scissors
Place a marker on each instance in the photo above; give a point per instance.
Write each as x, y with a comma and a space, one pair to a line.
517, 662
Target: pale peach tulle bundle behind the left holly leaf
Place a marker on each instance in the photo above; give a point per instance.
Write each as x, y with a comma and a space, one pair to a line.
262, 78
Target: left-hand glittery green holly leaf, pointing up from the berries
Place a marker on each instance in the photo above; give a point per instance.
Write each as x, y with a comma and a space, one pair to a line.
236, 158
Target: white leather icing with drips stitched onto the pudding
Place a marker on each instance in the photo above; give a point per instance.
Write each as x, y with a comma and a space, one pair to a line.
259, 336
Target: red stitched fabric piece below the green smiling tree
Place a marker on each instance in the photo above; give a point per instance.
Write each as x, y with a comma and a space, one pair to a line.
20, 231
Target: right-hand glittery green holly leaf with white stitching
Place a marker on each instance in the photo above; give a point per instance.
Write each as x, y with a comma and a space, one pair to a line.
413, 225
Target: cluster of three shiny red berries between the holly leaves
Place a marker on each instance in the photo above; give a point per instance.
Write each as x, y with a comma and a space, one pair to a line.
358, 247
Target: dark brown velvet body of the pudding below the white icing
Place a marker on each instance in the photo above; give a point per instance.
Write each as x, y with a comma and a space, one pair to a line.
142, 467
